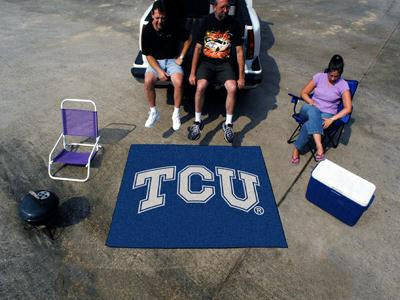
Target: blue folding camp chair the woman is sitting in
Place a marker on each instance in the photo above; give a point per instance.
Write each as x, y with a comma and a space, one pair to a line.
333, 133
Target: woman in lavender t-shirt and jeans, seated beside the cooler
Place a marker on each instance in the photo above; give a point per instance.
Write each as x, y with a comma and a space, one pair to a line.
321, 110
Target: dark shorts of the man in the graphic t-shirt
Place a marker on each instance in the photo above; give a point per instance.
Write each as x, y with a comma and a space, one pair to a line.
218, 73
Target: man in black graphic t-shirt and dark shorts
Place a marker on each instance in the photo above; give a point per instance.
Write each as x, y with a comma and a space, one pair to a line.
218, 35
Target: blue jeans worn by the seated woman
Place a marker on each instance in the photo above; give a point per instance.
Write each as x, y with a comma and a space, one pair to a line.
313, 124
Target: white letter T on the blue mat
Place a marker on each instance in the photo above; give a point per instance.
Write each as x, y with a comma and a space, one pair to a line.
152, 178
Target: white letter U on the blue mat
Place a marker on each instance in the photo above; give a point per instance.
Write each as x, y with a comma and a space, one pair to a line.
249, 181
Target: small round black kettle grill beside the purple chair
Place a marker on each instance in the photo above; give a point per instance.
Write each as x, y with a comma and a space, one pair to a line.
38, 207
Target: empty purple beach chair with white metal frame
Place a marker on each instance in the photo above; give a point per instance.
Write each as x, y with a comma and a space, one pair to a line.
76, 123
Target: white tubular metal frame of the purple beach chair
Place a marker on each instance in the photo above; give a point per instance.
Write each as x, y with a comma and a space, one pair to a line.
95, 147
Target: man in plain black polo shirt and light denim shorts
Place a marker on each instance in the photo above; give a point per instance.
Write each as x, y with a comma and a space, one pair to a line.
160, 41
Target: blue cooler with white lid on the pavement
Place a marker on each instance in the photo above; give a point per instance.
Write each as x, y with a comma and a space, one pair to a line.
339, 192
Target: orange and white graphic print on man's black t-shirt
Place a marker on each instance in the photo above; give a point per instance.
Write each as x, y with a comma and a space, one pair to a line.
217, 44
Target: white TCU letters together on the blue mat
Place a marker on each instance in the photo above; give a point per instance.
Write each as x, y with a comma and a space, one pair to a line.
153, 179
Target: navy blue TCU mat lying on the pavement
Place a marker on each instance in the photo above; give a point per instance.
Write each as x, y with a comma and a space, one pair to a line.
179, 196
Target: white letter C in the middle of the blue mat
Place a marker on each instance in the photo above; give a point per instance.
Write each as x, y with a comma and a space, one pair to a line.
184, 190
